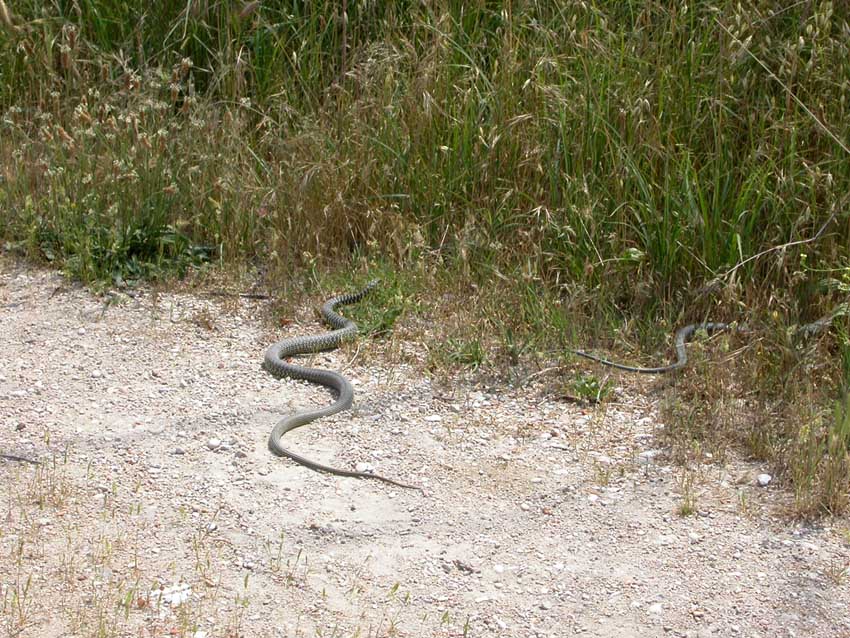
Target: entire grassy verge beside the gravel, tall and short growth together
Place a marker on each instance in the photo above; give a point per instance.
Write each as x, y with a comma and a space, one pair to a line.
543, 174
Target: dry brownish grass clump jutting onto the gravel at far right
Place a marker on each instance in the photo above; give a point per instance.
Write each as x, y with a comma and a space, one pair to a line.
763, 402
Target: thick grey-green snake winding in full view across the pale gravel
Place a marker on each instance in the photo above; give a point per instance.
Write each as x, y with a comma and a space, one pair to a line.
275, 362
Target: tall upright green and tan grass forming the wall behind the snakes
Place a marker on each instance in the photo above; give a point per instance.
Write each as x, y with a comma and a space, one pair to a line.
606, 141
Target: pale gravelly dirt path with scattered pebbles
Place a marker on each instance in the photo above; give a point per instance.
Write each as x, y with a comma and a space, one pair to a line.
158, 510
